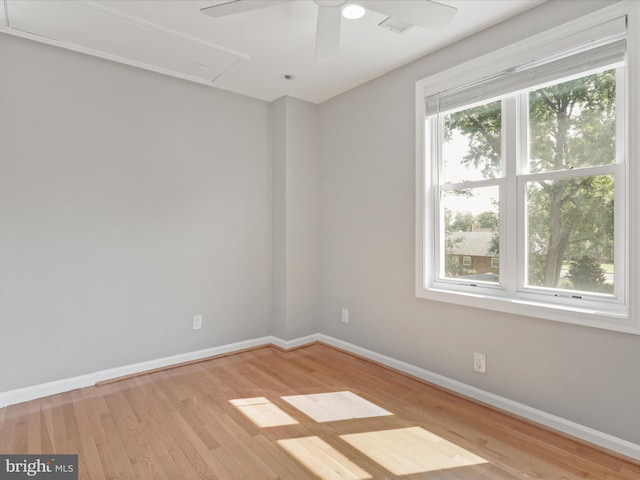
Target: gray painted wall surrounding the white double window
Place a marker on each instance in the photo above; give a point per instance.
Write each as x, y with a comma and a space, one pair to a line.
367, 229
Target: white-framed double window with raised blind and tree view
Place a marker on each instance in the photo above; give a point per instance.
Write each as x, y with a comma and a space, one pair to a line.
525, 177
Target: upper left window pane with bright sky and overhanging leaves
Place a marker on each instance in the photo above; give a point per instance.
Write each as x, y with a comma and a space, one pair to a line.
472, 148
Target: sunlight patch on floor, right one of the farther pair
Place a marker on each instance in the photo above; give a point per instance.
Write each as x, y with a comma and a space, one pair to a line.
330, 407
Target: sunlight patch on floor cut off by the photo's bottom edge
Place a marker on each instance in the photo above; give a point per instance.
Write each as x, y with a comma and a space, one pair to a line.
322, 459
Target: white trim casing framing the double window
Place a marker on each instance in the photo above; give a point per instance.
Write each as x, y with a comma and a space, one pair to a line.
539, 46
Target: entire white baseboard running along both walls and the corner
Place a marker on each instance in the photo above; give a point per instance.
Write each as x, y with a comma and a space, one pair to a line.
560, 424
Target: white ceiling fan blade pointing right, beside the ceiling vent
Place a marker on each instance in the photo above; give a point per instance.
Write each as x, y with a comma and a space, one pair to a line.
424, 13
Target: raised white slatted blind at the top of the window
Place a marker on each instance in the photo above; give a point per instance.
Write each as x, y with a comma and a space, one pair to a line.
608, 50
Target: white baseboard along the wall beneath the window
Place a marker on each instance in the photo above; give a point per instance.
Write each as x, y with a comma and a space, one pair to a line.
554, 422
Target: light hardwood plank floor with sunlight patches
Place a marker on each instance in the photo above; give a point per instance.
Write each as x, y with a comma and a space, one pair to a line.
226, 418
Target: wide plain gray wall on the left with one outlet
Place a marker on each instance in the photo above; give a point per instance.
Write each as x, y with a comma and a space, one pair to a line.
129, 201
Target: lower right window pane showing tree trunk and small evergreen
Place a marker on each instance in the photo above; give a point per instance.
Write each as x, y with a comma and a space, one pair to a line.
570, 233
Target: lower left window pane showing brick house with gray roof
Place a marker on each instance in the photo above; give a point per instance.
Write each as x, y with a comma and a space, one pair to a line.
471, 228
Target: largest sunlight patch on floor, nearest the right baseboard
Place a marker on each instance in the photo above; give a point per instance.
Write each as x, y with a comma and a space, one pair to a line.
407, 451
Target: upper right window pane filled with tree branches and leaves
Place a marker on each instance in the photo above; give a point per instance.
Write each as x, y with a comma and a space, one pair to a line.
573, 124
